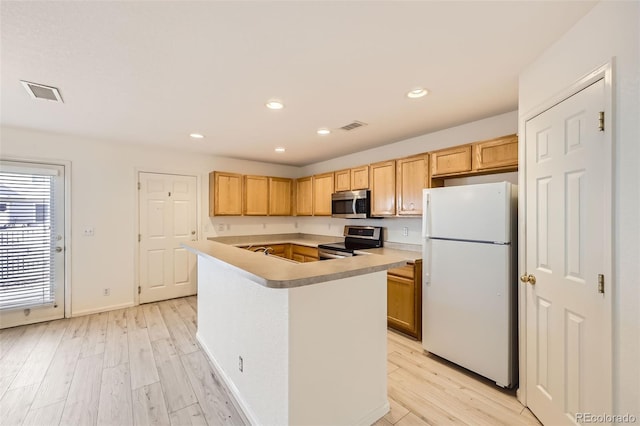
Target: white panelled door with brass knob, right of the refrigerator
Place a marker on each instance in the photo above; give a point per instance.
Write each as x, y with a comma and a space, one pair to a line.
568, 318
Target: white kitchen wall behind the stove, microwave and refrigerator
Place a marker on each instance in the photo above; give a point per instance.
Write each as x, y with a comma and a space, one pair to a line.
492, 127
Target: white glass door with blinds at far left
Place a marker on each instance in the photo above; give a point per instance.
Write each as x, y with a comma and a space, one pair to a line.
32, 242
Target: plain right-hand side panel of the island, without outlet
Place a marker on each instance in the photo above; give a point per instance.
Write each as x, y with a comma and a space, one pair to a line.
338, 351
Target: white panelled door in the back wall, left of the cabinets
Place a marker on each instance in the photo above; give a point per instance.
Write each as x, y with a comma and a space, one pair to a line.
167, 208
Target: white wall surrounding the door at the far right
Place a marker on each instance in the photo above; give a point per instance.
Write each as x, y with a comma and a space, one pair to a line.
609, 31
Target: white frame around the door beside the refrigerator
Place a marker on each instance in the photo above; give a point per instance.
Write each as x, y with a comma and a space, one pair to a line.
604, 72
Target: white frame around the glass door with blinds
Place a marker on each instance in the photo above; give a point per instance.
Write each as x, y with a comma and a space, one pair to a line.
66, 164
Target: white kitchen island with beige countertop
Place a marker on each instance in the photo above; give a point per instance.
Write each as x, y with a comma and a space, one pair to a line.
296, 343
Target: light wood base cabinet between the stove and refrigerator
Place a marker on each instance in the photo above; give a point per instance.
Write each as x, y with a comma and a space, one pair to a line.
404, 299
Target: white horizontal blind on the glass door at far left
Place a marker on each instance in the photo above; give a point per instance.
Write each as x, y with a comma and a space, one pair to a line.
26, 239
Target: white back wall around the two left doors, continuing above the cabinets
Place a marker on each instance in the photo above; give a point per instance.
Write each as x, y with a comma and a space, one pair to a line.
104, 196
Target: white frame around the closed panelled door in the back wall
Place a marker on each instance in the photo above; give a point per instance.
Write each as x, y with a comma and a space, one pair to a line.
136, 251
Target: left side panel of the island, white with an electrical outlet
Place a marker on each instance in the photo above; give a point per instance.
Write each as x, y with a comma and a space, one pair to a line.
238, 317
